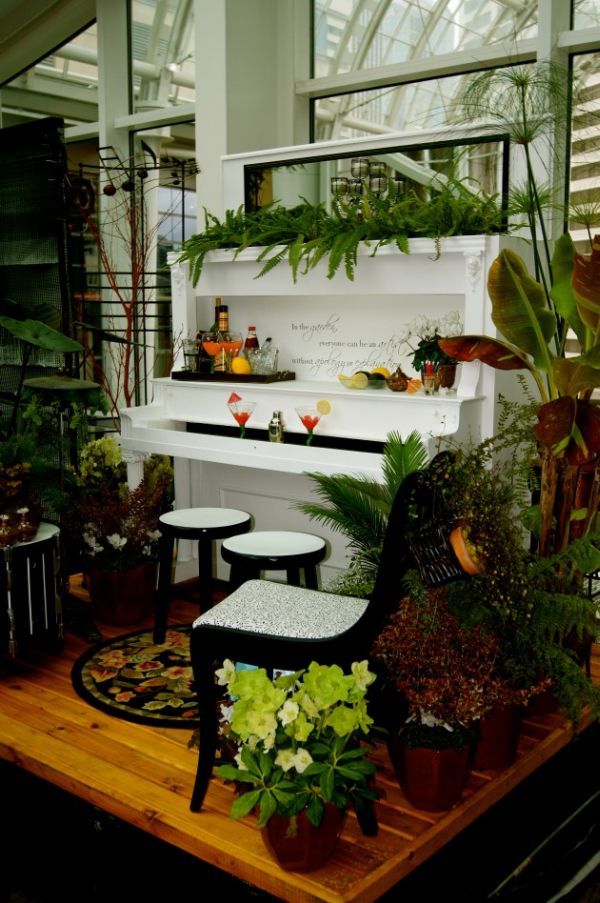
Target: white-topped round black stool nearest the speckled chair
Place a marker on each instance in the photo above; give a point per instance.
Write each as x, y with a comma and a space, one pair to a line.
276, 550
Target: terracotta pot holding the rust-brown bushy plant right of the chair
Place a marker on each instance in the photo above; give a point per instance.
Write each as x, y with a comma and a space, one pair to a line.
432, 779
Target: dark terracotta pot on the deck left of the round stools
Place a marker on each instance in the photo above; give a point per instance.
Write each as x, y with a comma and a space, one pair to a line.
122, 597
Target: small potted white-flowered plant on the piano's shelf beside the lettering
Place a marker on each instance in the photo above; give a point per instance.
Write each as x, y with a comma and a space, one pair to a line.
421, 337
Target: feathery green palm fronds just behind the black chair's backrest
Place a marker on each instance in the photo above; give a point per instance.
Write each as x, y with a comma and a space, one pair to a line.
359, 506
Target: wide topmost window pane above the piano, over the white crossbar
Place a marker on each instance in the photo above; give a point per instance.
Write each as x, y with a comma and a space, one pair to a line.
364, 34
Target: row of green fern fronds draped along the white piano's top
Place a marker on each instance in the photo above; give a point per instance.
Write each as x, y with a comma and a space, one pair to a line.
306, 234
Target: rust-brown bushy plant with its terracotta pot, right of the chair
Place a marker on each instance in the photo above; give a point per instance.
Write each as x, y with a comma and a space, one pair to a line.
447, 678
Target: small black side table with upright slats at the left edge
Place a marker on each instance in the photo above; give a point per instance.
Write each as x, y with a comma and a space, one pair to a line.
30, 602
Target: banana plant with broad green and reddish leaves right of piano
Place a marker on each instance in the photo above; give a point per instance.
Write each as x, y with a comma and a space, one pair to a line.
533, 319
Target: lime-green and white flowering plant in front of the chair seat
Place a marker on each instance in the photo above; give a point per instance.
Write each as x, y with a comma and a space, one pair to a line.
298, 739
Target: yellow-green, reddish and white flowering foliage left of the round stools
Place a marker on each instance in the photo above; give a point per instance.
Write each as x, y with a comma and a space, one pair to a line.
118, 525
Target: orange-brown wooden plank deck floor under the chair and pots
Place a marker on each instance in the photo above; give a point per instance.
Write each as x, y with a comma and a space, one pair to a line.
144, 776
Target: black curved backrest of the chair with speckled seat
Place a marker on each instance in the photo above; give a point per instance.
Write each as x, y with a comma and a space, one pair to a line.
412, 540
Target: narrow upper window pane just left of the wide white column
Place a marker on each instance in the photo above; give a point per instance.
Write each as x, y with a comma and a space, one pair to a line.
162, 50
